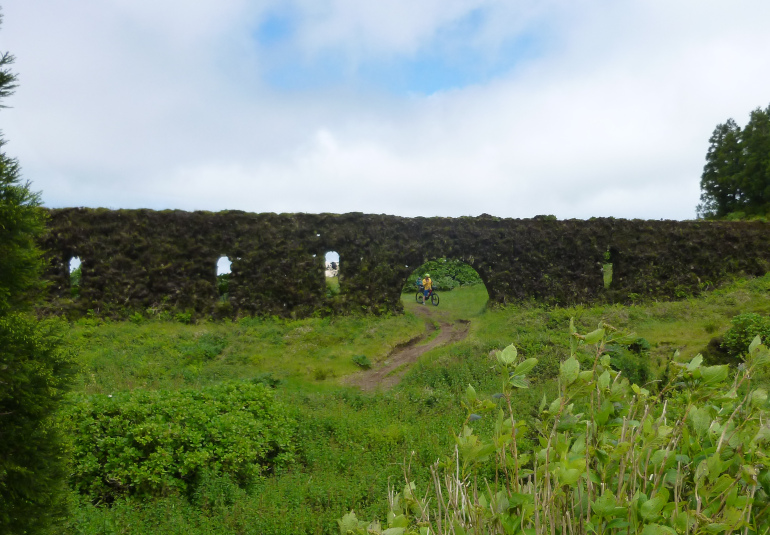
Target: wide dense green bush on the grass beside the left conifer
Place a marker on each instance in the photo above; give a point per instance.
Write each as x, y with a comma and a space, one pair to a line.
156, 443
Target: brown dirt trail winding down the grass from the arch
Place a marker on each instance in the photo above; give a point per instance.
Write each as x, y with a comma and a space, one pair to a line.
390, 371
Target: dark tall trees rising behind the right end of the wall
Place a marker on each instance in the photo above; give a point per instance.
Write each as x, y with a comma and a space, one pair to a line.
736, 177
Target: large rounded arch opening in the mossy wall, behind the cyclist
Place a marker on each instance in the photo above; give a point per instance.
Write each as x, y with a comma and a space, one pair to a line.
458, 284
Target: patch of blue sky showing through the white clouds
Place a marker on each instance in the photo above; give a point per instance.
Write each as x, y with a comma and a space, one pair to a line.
452, 59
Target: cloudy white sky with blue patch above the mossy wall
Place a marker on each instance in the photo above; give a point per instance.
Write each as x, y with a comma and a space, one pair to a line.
515, 108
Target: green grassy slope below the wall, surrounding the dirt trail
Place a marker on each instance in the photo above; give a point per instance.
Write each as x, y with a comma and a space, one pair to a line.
349, 442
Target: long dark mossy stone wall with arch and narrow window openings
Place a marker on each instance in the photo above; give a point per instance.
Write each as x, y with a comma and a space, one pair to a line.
140, 259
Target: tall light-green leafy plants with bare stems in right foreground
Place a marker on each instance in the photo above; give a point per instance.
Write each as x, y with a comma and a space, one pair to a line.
611, 457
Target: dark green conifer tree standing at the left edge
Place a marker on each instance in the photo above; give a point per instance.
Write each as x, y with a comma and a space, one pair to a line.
34, 368
